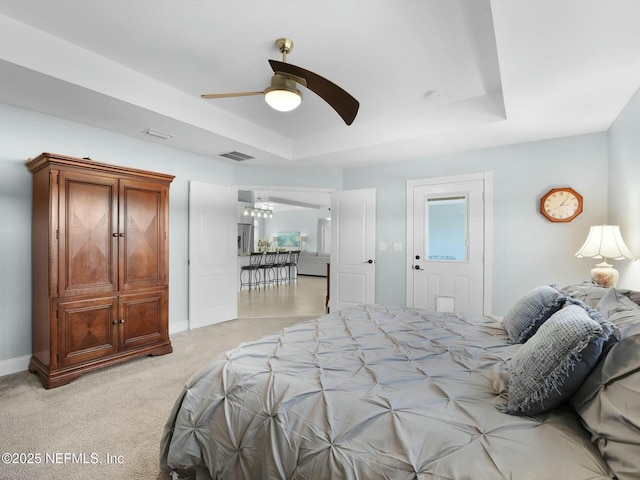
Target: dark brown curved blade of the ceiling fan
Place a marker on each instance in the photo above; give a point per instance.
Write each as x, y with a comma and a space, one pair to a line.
341, 101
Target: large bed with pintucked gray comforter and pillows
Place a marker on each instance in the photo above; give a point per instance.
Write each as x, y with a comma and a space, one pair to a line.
378, 391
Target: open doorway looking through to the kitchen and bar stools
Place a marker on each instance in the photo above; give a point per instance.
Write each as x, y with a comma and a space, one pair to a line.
301, 220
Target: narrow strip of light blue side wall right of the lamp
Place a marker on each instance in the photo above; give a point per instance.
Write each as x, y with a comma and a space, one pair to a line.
624, 187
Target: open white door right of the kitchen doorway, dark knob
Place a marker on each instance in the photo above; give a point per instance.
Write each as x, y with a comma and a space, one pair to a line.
353, 268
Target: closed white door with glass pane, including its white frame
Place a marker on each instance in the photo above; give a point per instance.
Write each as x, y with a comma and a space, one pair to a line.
447, 245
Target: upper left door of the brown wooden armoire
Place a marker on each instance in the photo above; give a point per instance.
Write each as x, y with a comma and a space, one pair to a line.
87, 223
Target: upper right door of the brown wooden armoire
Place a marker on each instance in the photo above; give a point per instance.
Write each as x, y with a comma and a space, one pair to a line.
143, 227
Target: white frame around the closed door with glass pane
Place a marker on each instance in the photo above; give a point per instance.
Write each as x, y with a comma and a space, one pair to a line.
487, 178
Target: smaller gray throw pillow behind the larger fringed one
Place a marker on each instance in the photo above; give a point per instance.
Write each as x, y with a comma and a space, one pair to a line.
531, 311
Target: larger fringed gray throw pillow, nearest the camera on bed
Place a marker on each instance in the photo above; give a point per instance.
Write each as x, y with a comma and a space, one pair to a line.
546, 371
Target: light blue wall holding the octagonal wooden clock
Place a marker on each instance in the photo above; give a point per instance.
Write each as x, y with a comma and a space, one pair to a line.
528, 249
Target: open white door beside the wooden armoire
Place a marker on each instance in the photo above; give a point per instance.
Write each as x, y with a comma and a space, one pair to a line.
213, 264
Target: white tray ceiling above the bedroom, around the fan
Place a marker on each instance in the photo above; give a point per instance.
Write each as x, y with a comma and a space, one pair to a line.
506, 71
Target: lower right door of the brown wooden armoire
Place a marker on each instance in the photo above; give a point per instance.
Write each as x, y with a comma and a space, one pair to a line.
144, 318
